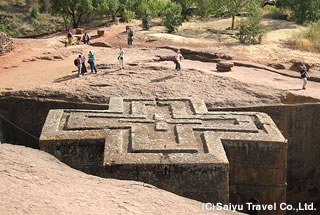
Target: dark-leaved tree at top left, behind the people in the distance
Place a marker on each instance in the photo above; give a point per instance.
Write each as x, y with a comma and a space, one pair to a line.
73, 10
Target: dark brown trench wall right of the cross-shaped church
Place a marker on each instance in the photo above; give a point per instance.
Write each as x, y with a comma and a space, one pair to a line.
300, 124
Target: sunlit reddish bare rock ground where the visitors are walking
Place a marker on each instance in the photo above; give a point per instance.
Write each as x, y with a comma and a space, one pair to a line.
47, 65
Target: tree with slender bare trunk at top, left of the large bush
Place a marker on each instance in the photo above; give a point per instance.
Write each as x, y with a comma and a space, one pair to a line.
232, 8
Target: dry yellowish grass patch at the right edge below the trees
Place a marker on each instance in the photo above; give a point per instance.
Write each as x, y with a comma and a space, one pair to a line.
308, 40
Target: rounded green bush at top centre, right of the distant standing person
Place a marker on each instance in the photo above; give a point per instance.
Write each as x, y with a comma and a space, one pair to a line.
171, 17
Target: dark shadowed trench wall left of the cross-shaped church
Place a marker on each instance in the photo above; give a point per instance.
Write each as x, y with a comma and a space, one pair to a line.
30, 115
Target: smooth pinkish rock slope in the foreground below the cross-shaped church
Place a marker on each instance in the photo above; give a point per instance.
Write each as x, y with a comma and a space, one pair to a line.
34, 182
